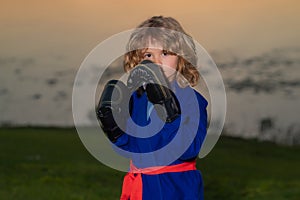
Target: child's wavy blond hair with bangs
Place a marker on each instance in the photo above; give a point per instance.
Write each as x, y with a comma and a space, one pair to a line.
169, 33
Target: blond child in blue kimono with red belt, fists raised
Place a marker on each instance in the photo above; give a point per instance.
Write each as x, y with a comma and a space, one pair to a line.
154, 173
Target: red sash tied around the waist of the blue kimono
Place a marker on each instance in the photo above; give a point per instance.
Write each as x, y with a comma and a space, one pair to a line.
133, 185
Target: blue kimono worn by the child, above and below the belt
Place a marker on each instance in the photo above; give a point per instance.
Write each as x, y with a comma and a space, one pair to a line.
166, 144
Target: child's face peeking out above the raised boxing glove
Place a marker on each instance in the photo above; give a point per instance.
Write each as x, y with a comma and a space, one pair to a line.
167, 61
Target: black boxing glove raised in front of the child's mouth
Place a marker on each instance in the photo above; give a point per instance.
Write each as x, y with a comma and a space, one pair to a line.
150, 77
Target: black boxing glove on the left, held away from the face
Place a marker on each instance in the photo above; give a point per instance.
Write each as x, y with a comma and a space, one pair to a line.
114, 98
